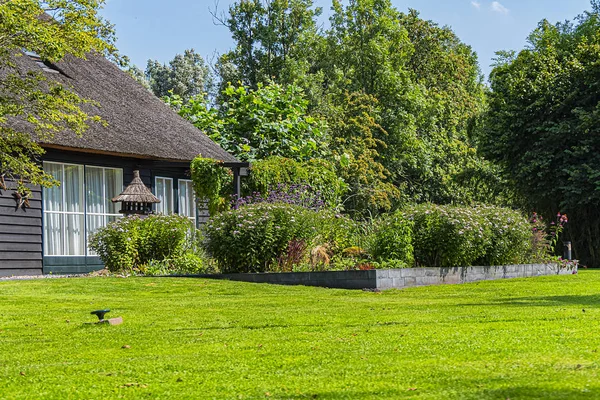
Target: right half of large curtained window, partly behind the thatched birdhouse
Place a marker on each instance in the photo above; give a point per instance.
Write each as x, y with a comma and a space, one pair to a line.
101, 185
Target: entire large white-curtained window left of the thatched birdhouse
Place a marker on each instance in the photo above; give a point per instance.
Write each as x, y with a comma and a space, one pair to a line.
79, 206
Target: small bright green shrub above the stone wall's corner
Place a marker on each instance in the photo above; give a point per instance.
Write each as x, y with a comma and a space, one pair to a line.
391, 239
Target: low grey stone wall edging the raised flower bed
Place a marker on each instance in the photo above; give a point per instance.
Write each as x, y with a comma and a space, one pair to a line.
397, 278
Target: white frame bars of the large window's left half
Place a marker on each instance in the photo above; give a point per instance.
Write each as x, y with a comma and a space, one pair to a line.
64, 214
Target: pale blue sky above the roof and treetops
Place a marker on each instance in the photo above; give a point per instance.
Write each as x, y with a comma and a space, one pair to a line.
159, 29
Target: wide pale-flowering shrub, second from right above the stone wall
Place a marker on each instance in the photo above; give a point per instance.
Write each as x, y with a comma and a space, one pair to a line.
448, 236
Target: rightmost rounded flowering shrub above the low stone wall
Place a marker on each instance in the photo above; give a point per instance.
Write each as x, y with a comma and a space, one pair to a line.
511, 234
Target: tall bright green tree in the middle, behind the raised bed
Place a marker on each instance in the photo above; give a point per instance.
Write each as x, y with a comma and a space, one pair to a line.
428, 87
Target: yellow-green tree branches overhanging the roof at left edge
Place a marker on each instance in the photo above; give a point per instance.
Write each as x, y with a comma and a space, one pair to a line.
70, 27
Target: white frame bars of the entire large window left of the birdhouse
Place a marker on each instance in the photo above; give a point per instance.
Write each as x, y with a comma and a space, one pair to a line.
83, 208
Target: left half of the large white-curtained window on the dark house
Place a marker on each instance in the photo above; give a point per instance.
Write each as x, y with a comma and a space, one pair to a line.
63, 211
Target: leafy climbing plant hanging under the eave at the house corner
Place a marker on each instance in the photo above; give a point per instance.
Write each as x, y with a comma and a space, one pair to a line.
210, 178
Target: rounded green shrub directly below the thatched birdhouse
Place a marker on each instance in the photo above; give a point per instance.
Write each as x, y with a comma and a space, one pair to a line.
133, 242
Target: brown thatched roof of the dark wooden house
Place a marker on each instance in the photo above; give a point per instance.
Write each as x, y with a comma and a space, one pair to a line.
140, 125
